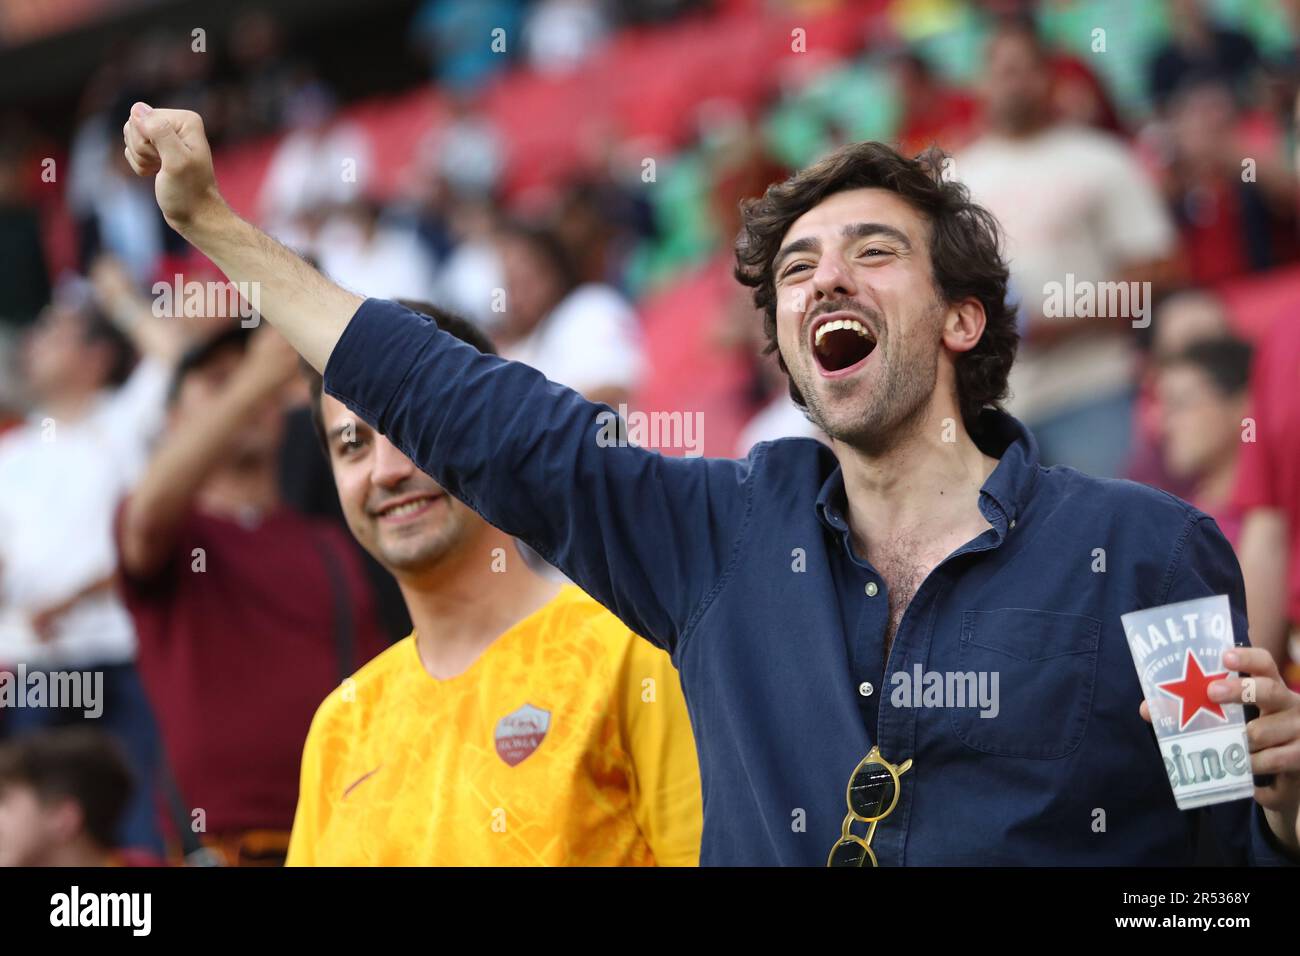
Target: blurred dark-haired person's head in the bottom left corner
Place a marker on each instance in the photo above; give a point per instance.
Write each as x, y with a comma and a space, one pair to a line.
63, 795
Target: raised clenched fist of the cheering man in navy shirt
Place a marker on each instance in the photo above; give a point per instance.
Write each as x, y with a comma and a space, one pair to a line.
171, 146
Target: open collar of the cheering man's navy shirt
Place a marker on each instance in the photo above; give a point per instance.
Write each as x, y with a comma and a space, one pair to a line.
1004, 496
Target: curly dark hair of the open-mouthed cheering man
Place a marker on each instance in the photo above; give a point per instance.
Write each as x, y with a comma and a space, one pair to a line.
965, 249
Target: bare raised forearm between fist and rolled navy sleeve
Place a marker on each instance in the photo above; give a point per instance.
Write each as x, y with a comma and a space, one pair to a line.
306, 309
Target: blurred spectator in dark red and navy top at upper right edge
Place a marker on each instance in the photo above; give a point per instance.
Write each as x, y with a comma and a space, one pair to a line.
1232, 224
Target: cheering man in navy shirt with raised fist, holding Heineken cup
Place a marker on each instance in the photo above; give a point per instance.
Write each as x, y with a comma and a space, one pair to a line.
794, 586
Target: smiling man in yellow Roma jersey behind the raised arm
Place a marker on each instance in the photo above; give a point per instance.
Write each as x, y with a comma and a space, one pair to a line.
519, 725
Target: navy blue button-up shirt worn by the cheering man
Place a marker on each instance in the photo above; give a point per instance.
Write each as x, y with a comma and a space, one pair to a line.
743, 570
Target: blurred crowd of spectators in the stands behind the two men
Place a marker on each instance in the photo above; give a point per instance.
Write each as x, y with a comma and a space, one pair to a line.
129, 423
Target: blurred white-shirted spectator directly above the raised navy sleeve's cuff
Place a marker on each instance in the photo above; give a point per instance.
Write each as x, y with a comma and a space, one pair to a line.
362, 252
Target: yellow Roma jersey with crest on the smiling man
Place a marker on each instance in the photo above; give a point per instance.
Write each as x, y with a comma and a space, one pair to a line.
566, 743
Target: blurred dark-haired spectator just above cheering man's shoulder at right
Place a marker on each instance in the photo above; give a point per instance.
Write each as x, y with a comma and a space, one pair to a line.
1203, 400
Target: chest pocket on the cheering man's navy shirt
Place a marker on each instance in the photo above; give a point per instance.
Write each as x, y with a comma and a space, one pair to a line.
1047, 667
